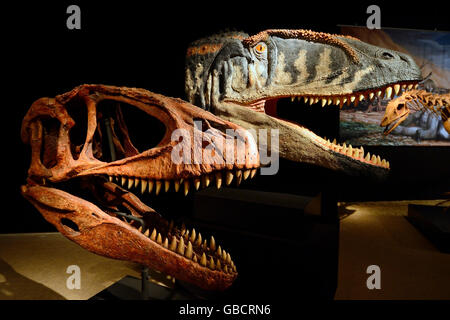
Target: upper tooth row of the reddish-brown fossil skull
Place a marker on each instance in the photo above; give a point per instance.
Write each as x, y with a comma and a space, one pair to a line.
221, 178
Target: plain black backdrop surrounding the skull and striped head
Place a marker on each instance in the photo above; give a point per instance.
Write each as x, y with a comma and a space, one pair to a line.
142, 44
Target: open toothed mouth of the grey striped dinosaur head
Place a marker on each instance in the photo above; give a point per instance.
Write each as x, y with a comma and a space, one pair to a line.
285, 107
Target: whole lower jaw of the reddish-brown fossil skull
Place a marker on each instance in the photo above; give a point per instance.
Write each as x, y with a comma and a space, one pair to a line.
143, 237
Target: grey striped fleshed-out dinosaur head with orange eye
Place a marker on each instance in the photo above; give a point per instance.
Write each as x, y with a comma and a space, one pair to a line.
243, 79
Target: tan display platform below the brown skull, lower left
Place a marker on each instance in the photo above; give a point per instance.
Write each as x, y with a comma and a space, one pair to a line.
34, 266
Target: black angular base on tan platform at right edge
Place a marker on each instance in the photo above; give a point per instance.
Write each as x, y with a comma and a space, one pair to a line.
433, 222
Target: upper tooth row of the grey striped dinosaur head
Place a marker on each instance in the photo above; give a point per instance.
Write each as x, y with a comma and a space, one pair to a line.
356, 97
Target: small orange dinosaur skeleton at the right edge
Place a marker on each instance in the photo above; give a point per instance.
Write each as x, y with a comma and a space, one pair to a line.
397, 109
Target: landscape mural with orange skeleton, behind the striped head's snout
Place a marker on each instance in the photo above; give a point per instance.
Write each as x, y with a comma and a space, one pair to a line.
410, 116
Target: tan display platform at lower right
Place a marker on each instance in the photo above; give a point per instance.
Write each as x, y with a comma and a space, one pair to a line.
378, 233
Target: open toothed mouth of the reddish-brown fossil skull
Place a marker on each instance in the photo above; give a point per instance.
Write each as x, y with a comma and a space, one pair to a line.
127, 200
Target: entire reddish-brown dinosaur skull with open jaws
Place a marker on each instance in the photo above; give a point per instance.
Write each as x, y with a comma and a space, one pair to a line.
83, 150
